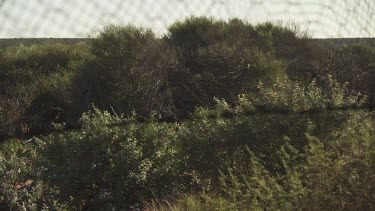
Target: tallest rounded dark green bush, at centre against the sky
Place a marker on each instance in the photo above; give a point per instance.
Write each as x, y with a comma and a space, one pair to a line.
221, 59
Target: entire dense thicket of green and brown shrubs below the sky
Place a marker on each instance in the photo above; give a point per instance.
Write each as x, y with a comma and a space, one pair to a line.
227, 114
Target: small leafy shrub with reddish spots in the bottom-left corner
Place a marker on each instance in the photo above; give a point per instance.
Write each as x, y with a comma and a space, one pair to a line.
21, 186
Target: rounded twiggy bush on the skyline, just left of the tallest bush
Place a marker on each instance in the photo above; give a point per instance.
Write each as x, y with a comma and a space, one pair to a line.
129, 72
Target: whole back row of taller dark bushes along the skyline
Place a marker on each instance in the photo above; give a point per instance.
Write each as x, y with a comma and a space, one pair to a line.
127, 68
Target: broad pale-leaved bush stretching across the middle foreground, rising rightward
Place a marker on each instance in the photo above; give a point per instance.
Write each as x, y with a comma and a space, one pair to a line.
140, 160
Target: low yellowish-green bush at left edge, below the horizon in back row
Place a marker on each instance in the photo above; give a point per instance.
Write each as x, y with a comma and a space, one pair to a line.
35, 85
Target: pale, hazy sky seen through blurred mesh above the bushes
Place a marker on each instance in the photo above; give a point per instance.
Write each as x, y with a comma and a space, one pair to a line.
82, 18
